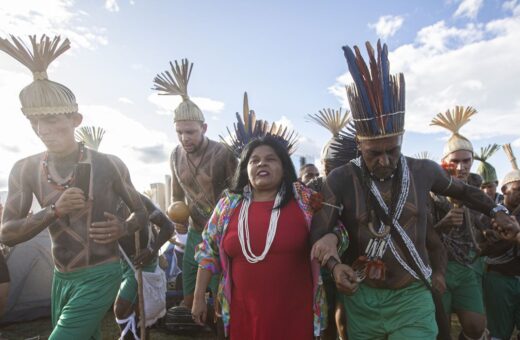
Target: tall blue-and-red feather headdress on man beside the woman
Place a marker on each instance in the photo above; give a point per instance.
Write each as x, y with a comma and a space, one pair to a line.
376, 98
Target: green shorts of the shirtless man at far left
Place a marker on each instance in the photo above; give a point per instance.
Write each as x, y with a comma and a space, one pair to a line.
80, 300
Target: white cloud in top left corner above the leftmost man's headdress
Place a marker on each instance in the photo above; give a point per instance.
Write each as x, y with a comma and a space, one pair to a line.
52, 17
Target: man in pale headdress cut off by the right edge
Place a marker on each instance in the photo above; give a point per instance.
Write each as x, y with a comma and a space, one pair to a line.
501, 282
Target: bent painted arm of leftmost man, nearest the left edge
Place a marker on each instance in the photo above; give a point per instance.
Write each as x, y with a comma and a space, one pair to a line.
18, 224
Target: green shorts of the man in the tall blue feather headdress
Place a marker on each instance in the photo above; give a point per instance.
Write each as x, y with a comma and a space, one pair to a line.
407, 313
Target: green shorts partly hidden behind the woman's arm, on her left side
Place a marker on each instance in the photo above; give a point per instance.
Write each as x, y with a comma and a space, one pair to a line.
190, 266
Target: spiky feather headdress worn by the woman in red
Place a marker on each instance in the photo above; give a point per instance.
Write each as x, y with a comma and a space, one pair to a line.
248, 128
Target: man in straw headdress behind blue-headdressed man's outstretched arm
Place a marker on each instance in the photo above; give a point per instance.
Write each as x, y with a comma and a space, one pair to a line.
460, 231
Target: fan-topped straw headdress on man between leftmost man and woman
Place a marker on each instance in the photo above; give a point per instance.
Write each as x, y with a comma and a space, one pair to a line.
175, 83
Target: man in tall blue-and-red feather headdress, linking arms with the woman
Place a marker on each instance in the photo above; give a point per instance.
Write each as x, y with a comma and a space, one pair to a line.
384, 197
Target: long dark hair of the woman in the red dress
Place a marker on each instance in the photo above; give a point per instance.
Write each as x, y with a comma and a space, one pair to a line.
240, 179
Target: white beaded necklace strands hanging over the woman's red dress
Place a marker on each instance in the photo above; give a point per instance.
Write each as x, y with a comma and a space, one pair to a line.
243, 228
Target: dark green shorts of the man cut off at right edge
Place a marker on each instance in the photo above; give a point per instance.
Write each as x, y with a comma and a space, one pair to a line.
502, 299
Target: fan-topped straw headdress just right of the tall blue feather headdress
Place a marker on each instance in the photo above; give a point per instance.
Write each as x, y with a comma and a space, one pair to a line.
453, 120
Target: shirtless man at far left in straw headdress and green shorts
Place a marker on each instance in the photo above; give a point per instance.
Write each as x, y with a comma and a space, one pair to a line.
82, 226
